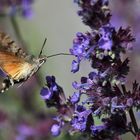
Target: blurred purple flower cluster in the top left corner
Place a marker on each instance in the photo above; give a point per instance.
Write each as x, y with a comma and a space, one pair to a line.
12, 7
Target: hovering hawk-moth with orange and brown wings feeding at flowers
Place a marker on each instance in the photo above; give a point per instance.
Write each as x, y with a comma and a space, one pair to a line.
16, 65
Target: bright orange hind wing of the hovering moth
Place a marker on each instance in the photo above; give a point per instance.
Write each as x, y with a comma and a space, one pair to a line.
11, 65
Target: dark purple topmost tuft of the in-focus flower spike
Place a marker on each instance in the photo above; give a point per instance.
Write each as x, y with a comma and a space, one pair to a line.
94, 13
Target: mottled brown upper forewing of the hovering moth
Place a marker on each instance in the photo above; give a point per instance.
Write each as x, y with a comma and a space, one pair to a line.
8, 45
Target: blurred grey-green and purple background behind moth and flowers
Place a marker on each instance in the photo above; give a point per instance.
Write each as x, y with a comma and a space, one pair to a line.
23, 114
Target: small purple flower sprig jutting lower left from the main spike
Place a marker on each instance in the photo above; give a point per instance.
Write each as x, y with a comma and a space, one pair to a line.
54, 96
